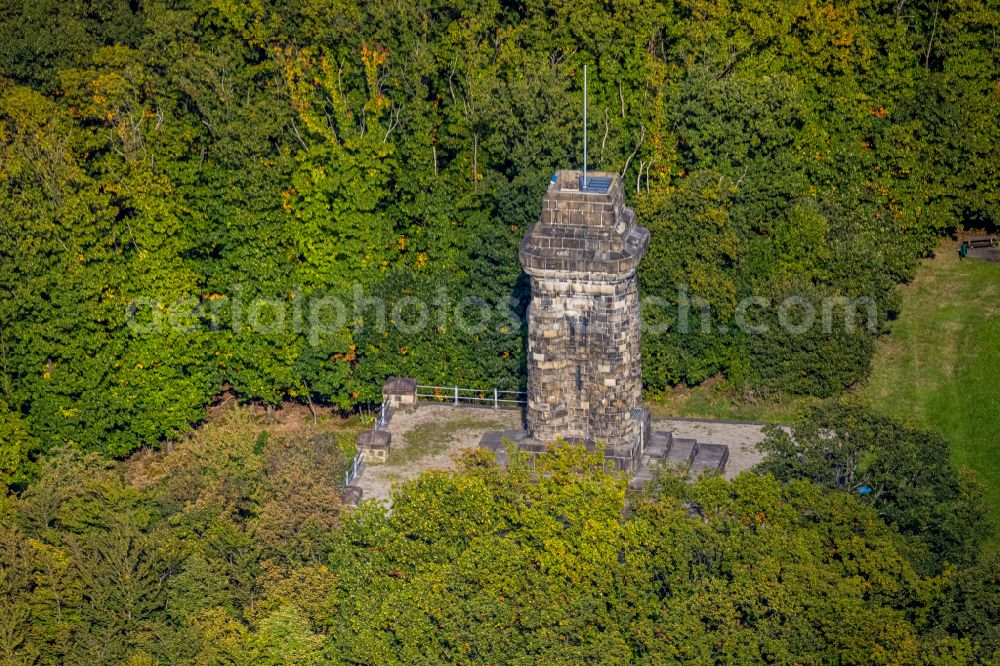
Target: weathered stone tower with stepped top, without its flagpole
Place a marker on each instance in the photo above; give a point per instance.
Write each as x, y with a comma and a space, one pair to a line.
584, 371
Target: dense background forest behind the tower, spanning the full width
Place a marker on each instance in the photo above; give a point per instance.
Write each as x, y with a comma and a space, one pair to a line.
173, 172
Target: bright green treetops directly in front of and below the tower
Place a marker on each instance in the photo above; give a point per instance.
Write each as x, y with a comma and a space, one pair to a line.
494, 565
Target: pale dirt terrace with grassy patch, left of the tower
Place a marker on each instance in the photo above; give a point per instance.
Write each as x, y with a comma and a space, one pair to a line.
452, 428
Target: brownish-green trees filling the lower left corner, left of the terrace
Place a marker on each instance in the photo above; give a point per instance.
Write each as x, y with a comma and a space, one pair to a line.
163, 560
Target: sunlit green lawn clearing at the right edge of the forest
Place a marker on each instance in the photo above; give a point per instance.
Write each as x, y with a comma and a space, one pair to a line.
940, 367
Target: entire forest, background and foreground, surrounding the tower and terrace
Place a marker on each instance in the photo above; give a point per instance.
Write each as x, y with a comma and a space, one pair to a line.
257, 199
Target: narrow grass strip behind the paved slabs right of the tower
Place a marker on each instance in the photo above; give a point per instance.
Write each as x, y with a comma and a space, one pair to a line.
707, 402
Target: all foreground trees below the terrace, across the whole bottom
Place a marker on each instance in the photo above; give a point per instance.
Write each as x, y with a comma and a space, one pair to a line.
234, 549
